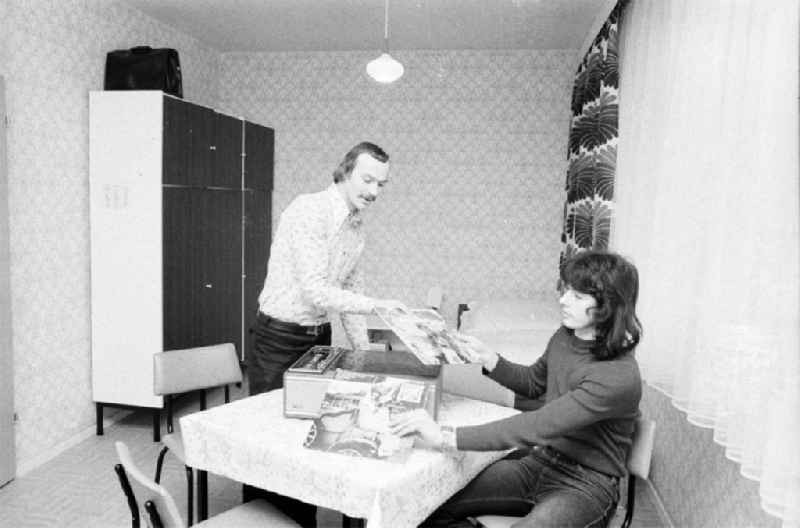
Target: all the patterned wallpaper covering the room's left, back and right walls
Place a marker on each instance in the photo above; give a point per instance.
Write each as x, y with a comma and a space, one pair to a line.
478, 142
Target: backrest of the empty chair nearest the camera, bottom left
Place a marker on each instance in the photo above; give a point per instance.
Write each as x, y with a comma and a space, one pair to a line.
145, 489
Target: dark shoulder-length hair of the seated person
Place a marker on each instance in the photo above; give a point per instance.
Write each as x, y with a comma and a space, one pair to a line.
614, 283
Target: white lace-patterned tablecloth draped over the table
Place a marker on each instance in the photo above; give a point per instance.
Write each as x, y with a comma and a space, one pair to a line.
250, 441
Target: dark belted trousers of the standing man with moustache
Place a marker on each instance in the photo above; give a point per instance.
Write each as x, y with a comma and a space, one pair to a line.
276, 345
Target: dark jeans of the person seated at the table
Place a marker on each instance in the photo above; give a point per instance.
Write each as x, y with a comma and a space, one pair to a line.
540, 484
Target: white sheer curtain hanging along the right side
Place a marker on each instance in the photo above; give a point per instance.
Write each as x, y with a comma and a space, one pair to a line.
707, 207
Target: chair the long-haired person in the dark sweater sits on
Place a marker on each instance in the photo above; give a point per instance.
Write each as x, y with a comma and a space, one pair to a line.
638, 465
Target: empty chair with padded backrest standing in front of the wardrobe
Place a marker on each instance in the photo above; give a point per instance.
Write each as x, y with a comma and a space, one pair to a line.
189, 370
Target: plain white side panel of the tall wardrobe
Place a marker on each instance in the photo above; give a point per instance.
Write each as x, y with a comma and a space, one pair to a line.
125, 162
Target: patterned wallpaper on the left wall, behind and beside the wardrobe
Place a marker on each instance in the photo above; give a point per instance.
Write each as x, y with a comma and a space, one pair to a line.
54, 54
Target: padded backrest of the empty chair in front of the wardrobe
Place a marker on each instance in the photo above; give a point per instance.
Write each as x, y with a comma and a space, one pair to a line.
178, 371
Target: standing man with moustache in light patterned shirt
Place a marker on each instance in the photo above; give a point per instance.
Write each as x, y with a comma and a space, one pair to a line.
313, 269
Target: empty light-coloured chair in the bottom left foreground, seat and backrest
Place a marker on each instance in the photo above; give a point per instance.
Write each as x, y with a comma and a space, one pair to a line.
160, 509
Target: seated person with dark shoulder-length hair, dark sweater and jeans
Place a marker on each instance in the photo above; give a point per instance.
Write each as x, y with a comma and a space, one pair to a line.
570, 453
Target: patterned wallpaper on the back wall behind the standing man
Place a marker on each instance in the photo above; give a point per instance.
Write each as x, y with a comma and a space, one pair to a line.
478, 145
